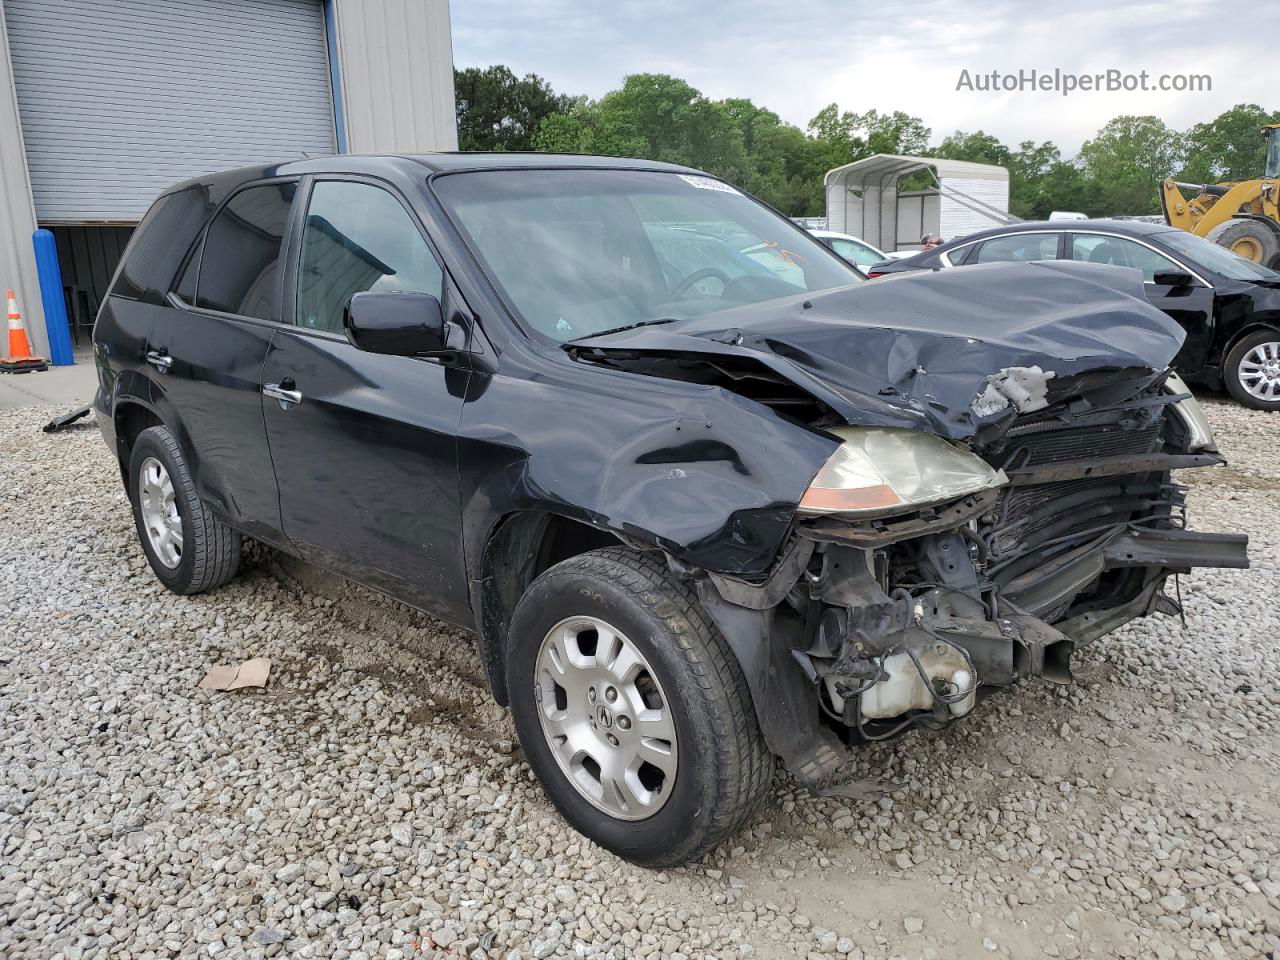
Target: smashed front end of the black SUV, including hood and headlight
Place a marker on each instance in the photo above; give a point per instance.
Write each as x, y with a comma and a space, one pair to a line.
1002, 493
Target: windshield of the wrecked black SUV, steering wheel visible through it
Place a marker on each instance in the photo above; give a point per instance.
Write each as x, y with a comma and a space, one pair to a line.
579, 253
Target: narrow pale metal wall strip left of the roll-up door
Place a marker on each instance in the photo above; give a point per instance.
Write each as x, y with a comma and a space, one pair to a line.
17, 218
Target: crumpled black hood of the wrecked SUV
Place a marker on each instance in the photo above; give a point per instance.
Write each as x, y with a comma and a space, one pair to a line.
950, 351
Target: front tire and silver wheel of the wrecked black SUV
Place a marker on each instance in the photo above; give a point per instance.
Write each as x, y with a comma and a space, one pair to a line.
723, 767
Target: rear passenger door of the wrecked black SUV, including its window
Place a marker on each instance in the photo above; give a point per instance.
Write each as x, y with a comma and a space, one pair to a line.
208, 353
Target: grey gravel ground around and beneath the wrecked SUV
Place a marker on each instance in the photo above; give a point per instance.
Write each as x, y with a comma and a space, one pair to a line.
371, 802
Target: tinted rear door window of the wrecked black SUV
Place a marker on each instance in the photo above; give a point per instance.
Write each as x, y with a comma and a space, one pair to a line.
243, 253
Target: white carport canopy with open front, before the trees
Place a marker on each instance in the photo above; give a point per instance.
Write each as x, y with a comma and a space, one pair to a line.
863, 200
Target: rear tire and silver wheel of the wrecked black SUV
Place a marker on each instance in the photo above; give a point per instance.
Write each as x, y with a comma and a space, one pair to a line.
208, 551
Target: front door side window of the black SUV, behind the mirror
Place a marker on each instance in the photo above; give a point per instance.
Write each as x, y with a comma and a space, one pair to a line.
358, 239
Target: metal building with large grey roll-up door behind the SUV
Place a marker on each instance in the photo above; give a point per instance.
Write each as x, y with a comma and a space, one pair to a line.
106, 104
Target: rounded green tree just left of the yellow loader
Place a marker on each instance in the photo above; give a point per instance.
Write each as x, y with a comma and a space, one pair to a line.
1127, 161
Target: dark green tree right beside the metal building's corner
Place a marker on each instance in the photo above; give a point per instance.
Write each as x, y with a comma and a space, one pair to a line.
499, 111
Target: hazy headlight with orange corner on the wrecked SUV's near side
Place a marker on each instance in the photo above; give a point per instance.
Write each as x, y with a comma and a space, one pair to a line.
883, 470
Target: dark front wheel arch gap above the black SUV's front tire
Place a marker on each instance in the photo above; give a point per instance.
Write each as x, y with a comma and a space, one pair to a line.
519, 548
